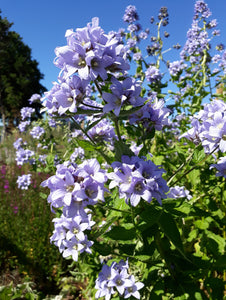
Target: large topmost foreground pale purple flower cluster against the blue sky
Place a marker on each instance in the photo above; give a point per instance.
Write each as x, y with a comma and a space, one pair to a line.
90, 53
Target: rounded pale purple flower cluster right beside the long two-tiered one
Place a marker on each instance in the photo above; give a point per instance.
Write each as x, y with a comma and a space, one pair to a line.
138, 179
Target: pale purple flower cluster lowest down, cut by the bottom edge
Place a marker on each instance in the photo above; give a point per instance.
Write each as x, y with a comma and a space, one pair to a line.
115, 278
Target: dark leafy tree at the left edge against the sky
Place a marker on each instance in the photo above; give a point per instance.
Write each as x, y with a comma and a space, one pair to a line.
19, 76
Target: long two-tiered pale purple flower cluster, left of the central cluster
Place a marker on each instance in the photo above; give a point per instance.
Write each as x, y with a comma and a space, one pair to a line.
72, 189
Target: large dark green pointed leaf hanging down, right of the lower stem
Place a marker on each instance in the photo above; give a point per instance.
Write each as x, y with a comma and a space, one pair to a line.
169, 227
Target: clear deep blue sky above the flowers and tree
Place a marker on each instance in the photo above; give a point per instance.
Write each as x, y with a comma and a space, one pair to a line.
42, 24
